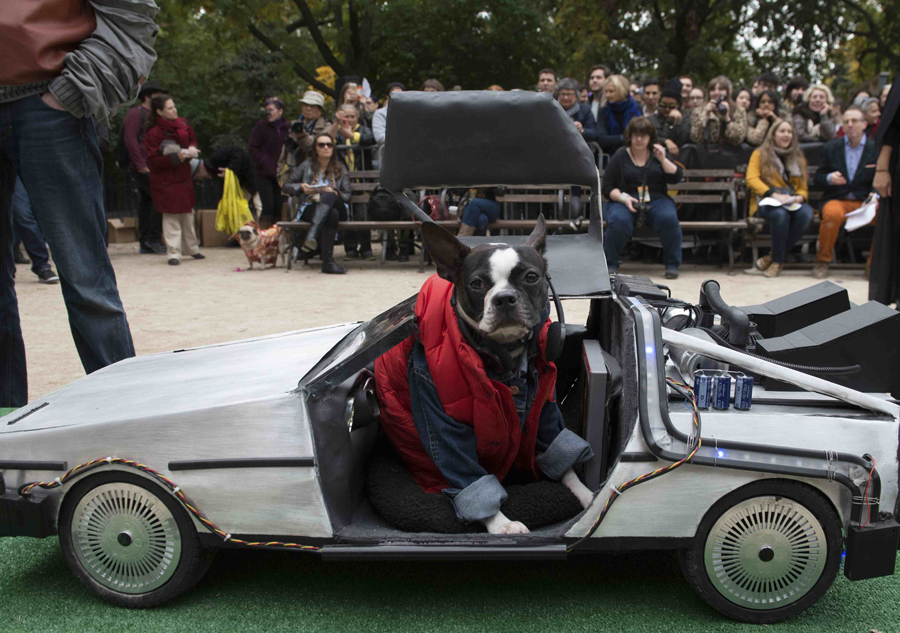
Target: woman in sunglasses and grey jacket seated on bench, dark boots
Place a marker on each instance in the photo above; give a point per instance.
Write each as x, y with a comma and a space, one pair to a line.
322, 186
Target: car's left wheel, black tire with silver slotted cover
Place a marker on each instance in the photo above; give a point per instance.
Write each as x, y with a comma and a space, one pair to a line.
129, 541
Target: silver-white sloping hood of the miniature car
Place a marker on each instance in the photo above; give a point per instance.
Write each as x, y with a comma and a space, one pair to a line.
183, 381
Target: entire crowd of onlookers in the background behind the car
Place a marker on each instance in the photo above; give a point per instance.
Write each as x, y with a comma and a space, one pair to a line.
639, 129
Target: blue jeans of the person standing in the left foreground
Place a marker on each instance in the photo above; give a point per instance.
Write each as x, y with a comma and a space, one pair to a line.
57, 157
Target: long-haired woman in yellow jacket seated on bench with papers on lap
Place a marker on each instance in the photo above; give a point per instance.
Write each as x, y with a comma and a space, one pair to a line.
777, 177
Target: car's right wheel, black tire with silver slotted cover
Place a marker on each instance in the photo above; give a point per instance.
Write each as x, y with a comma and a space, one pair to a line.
765, 552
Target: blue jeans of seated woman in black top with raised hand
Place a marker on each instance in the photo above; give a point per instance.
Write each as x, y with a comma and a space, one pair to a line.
620, 225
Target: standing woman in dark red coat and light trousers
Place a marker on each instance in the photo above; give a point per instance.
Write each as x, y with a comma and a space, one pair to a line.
171, 145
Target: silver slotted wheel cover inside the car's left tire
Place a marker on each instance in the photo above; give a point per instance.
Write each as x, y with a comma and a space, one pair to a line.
125, 538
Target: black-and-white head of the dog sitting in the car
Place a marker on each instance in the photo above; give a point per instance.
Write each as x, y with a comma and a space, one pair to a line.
500, 290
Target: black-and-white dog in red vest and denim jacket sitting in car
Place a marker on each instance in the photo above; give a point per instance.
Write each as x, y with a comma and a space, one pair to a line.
497, 307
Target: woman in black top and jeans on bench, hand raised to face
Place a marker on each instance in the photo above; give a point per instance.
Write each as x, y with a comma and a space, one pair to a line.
636, 183
